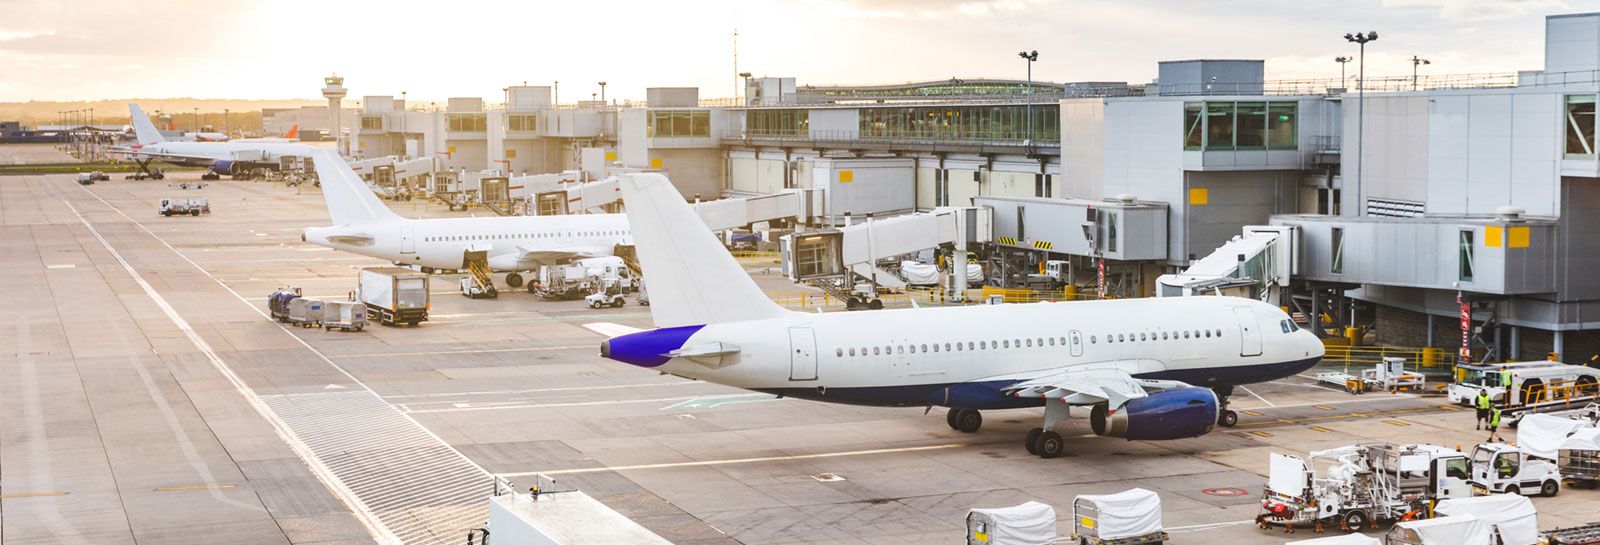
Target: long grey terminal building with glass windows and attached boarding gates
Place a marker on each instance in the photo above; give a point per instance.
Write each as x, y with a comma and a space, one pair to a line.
1401, 207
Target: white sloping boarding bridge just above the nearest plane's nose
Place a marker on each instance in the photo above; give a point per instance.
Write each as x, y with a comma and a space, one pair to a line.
1257, 265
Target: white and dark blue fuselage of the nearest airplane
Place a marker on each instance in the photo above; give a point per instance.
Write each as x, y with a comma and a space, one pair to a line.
964, 356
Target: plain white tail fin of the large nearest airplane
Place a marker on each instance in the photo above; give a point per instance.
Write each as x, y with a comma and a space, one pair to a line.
694, 280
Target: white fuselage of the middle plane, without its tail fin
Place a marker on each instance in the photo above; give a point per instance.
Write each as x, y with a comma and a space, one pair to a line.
513, 244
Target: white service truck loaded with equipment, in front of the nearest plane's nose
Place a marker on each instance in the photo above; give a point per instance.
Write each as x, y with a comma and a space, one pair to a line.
1361, 485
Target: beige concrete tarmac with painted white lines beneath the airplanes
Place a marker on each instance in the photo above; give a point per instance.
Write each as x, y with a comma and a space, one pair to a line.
151, 400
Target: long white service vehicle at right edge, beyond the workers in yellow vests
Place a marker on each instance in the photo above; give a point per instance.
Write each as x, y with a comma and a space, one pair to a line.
1532, 383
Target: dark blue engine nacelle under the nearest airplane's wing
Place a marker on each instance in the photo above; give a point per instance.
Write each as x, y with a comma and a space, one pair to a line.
1170, 415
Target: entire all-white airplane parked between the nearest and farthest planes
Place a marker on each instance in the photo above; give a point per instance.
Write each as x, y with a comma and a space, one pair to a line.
513, 244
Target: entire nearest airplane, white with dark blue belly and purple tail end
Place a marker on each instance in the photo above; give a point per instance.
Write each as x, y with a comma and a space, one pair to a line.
1146, 368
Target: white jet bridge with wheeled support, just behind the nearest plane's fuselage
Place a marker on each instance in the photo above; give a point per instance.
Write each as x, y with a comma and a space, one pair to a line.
846, 253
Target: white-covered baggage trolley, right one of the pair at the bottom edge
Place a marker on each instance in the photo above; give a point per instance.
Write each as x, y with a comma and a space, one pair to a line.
1124, 519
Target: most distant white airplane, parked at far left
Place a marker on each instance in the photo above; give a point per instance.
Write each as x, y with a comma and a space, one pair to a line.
223, 159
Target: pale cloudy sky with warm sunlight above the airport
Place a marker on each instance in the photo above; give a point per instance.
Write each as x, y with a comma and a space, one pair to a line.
60, 50
